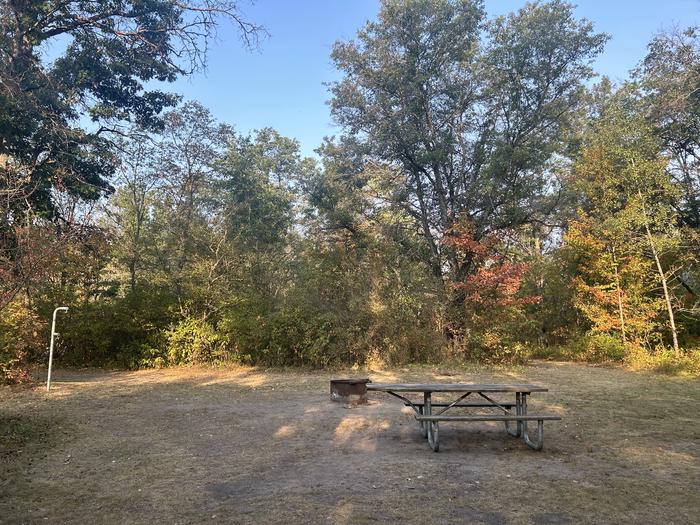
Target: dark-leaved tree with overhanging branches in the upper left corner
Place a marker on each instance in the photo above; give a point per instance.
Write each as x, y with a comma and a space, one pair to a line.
113, 49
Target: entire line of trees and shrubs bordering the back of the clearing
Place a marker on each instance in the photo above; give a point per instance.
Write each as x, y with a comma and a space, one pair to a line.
486, 200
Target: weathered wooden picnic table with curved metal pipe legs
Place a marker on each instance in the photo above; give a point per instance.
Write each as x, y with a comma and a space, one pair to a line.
506, 411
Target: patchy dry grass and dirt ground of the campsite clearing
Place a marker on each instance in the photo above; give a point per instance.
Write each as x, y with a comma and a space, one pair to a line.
244, 445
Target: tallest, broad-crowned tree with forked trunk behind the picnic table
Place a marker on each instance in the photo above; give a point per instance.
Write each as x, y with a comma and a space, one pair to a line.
472, 127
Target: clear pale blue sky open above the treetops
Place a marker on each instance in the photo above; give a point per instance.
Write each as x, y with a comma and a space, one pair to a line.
282, 84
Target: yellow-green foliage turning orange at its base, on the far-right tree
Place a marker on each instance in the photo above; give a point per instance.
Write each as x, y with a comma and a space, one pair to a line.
627, 228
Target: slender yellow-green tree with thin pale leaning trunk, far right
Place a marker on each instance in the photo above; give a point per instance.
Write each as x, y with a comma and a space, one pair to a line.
628, 195
